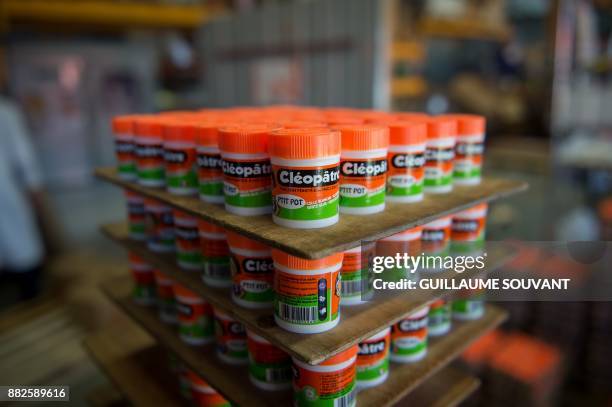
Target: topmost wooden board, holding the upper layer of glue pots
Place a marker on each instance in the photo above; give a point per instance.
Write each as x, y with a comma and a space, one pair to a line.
349, 232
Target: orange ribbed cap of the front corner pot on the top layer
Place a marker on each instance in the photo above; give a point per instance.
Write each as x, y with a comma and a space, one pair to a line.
304, 143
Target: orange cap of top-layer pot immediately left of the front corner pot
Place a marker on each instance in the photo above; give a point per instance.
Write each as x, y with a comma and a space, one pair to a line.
245, 139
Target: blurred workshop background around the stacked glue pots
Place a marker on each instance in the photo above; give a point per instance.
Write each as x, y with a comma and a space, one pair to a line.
540, 71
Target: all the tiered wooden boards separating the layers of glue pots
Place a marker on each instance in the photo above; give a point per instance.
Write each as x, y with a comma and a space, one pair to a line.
429, 381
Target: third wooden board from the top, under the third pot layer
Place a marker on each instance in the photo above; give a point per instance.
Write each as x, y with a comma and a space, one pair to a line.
403, 379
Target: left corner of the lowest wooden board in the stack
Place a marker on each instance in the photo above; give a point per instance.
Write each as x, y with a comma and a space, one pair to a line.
133, 362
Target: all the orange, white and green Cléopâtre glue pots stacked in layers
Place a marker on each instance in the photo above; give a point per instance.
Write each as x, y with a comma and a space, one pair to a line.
305, 167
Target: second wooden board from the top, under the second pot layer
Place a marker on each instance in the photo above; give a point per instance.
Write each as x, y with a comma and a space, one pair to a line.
357, 323
